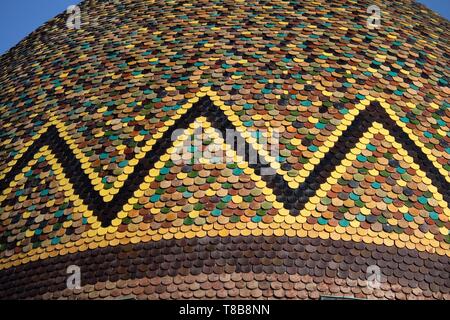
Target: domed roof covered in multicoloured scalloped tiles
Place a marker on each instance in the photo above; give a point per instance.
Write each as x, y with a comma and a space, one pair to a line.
341, 164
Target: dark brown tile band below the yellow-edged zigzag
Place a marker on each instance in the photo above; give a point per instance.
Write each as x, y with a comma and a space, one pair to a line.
319, 259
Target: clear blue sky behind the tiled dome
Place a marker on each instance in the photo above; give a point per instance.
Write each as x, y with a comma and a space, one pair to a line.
18, 18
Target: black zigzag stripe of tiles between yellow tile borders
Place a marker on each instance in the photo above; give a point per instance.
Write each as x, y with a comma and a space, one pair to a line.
293, 199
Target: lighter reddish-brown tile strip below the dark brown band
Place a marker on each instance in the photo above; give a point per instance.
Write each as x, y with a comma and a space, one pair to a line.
241, 285
